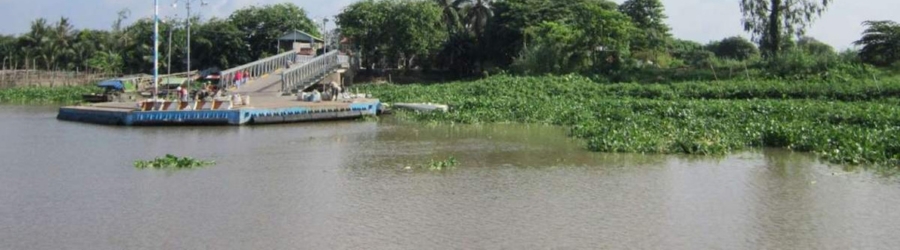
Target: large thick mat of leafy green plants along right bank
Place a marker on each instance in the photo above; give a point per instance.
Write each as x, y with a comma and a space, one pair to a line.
843, 122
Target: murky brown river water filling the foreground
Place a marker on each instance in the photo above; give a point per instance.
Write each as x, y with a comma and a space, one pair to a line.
345, 185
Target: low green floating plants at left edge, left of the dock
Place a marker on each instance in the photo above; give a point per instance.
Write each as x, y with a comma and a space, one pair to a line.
66, 94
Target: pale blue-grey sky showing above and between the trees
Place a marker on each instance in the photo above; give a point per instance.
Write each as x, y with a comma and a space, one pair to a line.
697, 20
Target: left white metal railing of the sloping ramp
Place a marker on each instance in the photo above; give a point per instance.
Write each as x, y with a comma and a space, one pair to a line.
262, 67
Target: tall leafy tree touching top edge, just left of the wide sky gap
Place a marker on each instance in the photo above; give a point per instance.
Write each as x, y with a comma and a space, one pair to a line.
649, 17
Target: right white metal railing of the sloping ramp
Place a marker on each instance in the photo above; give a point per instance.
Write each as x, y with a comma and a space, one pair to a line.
305, 74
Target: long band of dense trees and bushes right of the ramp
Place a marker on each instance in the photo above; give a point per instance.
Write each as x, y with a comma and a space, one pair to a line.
600, 39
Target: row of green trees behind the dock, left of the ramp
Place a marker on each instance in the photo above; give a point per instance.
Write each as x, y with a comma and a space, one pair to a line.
246, 35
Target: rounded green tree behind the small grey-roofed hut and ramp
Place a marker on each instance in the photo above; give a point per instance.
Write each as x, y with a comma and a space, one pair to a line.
261, 26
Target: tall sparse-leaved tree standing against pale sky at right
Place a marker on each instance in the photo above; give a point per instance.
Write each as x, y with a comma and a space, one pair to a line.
772, 22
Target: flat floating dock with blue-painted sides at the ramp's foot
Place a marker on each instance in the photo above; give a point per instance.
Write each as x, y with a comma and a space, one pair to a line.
264, 110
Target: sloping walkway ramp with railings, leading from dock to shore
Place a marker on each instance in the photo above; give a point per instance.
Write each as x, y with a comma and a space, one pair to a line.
284, 73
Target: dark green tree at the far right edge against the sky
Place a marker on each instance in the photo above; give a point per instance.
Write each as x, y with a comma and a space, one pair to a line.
881, 43
